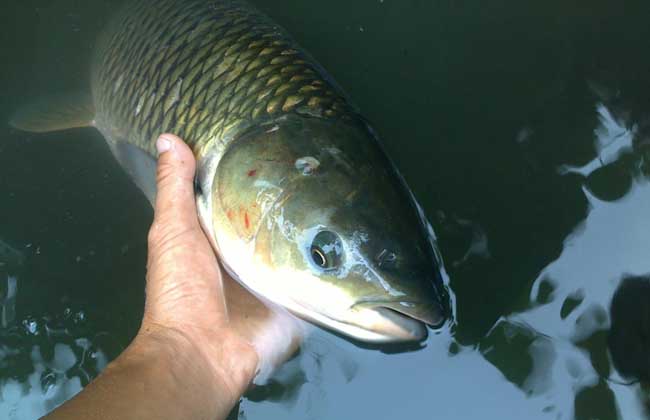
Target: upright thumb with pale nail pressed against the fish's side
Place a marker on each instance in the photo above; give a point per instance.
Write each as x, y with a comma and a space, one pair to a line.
175, 206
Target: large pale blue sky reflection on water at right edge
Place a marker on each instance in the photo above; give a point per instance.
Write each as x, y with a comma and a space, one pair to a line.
611, 243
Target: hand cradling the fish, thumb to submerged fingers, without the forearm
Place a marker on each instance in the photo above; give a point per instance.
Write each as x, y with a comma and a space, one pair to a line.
187, 292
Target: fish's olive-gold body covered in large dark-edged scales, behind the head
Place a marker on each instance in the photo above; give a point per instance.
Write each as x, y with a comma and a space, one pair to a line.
202, 70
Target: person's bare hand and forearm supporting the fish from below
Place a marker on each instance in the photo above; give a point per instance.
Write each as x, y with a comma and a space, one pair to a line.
203, 336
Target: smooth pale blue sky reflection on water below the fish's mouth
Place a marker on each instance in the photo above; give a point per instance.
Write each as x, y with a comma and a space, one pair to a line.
383, 387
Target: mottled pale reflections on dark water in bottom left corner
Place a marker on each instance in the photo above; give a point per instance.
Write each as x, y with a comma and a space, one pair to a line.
45, 361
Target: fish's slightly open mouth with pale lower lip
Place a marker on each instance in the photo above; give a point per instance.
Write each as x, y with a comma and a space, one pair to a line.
395, 321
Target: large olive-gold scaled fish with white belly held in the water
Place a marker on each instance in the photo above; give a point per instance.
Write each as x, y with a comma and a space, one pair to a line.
294, 191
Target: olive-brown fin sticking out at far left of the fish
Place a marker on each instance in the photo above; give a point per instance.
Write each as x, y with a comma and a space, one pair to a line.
55, 113
